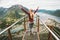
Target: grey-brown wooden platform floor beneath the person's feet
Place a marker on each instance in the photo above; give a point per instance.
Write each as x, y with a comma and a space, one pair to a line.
28, 36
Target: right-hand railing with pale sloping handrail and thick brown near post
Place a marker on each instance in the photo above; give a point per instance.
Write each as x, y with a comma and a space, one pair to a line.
49, 28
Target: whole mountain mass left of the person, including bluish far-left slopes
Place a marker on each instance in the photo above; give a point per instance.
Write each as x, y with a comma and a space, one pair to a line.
12, 14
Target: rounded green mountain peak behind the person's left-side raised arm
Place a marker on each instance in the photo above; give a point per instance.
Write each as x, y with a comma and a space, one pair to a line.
14, 13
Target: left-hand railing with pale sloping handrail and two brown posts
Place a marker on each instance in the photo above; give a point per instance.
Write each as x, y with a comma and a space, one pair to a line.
10, 26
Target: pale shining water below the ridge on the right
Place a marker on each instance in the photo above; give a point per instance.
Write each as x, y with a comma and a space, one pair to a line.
45, 16
